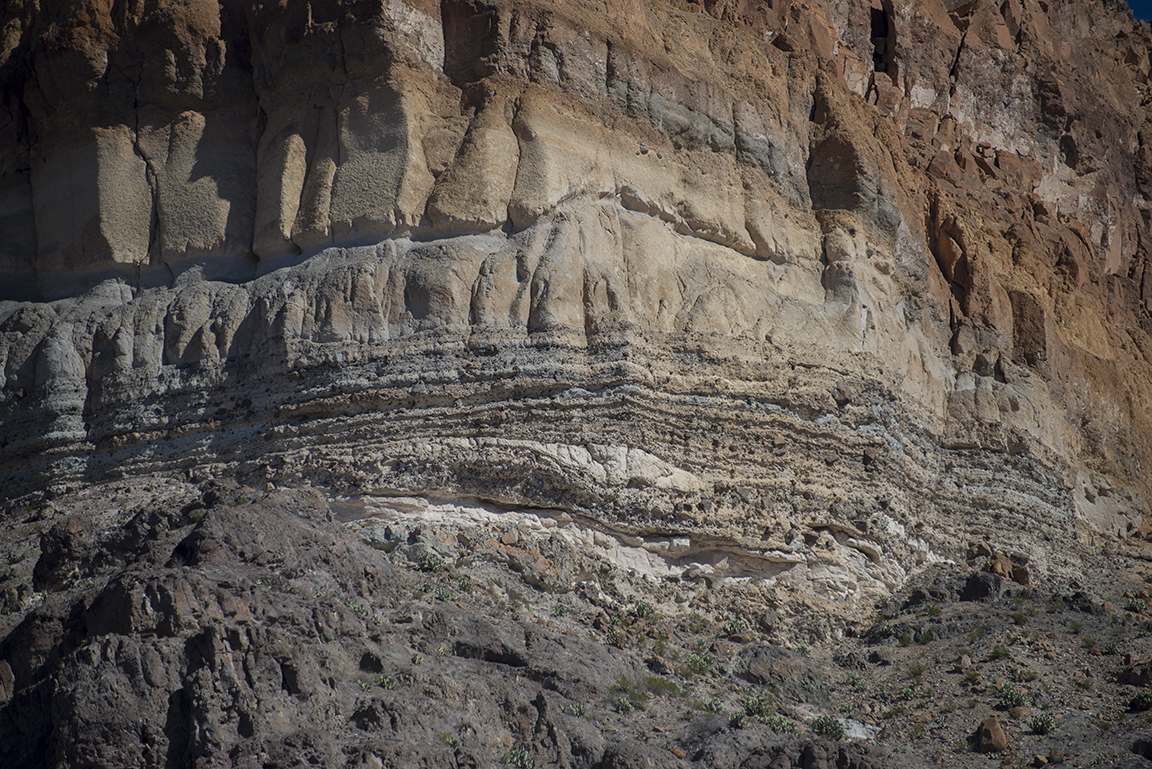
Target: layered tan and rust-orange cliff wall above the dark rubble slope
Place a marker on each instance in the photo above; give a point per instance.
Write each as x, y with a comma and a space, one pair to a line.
838, 285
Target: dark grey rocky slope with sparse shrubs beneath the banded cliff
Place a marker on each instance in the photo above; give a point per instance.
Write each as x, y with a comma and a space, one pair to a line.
162, 625
